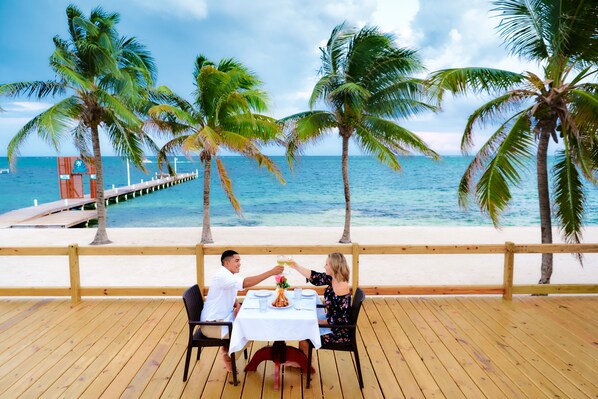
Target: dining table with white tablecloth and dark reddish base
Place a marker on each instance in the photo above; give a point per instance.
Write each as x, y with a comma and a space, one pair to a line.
297, 321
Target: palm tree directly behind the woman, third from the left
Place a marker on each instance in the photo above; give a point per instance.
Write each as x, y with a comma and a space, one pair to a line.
365, 82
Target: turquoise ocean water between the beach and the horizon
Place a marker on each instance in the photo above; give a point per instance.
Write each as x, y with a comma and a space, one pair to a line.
424, 193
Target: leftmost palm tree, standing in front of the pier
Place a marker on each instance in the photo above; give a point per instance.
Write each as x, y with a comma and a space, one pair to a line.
107, 77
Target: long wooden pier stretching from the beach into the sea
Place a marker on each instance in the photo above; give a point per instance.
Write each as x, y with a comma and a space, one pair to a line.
70, 212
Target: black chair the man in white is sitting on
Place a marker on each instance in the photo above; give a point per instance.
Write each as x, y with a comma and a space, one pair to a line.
194, 305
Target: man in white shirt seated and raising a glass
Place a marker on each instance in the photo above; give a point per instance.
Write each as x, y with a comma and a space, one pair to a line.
221, 303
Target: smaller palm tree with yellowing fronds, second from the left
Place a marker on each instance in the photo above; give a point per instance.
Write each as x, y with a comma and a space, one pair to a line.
222, 117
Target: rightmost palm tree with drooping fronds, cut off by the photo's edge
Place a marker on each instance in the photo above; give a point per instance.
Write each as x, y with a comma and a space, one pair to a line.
563, 38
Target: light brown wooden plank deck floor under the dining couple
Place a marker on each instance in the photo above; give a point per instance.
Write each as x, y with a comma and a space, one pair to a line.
449, 347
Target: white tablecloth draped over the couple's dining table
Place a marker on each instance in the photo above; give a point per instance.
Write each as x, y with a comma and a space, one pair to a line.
290, 324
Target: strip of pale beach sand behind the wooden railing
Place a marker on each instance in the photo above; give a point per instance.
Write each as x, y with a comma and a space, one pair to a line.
374, 270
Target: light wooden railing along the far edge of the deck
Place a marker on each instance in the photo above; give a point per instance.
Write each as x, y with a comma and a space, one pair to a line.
355, 250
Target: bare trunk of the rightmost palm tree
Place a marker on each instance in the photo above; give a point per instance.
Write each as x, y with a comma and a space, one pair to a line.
544, 200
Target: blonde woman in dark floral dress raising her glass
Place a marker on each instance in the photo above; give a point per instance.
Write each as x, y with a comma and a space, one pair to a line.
337, 297
